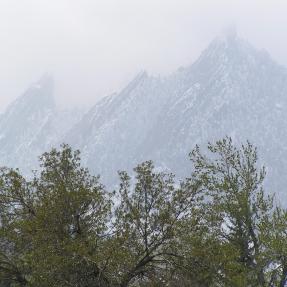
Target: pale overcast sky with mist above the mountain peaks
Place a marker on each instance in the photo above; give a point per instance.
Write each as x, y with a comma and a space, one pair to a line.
94, 47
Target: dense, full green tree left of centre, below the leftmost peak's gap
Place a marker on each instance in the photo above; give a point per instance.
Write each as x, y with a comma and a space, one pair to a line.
68, 231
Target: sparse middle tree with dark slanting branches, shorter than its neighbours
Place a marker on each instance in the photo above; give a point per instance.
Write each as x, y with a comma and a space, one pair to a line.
148, 220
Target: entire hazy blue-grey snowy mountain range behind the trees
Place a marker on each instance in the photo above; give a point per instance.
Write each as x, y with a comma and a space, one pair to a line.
232, 89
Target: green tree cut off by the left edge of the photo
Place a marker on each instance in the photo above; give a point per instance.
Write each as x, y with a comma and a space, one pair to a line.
15, 209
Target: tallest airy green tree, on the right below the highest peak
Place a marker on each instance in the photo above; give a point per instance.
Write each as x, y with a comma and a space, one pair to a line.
237, 209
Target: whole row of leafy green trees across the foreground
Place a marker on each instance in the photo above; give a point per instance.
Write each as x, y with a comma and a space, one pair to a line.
216, 228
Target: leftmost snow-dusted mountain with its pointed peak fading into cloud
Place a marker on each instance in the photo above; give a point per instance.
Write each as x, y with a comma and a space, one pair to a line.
31, 125
